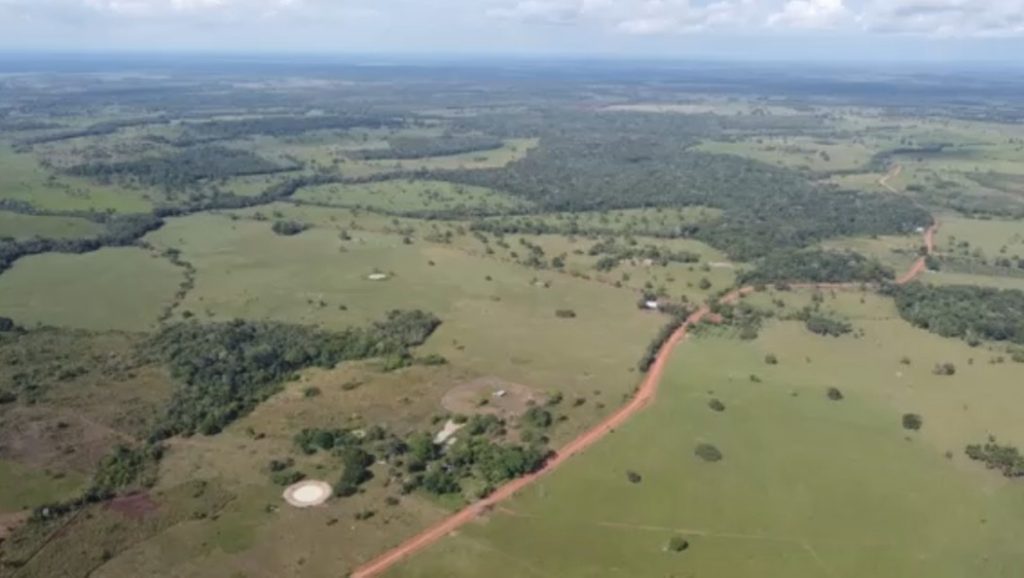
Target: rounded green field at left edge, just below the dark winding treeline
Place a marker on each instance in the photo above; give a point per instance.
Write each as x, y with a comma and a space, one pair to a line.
113, 288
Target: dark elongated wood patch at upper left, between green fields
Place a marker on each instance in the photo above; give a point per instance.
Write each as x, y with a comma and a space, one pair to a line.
182, 170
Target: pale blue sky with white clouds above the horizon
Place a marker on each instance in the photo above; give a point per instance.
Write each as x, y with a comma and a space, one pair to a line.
851, 30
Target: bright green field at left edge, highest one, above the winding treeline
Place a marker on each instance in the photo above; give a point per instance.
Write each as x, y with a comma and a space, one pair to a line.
22, 179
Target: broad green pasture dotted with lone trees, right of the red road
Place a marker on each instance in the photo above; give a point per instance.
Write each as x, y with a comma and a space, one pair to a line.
851, 493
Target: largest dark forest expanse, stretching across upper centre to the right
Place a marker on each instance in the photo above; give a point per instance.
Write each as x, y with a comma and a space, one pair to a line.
765, 209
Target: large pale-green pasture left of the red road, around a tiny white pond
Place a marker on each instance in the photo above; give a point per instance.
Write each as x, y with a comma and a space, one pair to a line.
499, 317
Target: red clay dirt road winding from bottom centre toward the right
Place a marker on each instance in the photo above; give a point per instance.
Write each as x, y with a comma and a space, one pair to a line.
645, 395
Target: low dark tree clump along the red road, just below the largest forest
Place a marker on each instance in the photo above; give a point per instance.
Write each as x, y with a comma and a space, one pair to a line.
817, 266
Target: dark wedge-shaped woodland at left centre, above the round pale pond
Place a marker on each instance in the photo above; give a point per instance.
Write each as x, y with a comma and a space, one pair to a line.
229, 368
